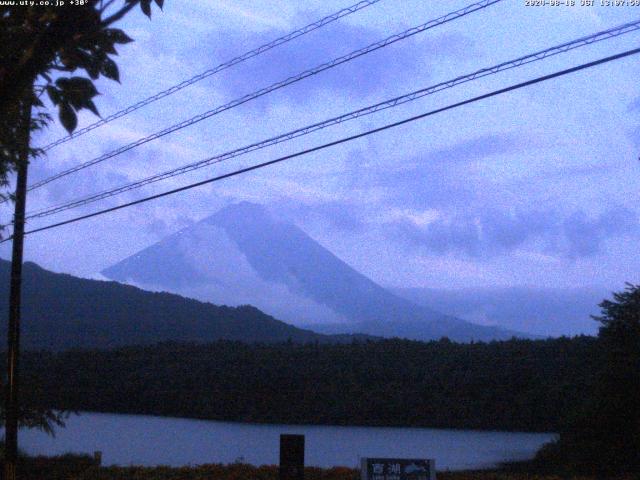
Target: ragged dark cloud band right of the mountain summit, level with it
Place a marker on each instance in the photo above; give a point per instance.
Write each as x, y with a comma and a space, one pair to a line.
495, 232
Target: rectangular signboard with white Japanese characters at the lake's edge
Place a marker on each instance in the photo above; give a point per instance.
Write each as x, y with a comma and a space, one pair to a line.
397, 469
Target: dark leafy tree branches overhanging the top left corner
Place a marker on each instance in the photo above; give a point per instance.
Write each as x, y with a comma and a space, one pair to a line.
42, 50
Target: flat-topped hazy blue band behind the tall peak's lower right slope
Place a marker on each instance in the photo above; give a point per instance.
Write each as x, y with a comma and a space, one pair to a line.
541, 311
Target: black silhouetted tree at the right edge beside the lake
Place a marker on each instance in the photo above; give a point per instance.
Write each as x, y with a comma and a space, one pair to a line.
604, 436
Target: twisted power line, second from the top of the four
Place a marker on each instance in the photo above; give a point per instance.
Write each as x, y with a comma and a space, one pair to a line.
293, 79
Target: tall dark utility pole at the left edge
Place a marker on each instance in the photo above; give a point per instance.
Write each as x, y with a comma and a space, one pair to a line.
13, 351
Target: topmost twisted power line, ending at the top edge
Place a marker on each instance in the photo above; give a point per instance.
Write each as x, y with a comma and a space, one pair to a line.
223, 66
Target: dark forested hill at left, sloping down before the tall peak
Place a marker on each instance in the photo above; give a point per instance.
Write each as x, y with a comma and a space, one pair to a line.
60, 311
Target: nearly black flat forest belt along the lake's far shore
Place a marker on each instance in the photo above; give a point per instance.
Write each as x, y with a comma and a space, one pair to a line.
525, 385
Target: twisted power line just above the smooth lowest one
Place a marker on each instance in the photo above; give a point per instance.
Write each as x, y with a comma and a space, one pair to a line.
537, 56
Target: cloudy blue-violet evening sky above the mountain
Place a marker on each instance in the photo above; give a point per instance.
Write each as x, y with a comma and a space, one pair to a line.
537, 187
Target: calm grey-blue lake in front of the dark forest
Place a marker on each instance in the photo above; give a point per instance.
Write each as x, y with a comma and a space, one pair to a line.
148, 440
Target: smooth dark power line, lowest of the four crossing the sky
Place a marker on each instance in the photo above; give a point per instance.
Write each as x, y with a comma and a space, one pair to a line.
343, 140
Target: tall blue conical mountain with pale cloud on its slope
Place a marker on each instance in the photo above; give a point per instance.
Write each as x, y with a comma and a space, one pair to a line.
244, 255
